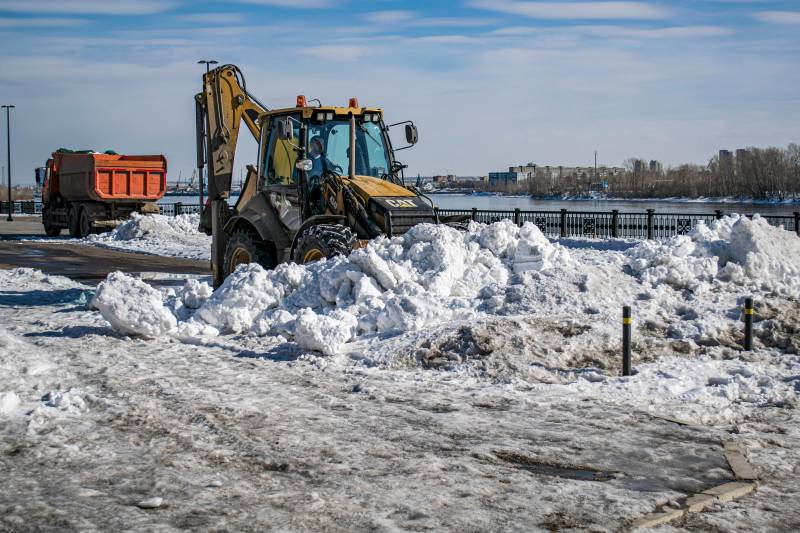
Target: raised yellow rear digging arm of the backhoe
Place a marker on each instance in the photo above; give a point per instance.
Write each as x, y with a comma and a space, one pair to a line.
220, 110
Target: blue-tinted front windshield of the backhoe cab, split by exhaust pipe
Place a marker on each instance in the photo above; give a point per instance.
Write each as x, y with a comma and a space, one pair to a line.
329, 148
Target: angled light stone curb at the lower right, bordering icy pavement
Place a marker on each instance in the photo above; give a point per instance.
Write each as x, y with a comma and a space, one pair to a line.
746, 482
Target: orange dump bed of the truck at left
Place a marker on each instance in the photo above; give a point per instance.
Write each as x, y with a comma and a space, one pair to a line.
110, 178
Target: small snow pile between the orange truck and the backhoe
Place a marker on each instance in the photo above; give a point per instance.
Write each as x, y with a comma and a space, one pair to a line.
176, 236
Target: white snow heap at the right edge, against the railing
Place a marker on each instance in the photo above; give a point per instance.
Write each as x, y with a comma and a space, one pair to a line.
736, 249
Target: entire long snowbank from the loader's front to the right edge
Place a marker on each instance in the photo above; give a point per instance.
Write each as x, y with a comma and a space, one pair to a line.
498, 297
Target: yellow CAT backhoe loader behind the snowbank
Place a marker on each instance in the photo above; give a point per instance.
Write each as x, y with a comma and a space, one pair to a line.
326, 178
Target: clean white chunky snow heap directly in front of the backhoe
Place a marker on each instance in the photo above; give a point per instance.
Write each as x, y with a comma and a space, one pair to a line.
430, 275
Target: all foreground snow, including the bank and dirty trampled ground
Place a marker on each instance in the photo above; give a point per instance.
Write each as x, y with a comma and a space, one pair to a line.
407, 387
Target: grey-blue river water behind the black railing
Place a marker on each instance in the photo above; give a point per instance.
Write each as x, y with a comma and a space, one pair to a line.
505, 203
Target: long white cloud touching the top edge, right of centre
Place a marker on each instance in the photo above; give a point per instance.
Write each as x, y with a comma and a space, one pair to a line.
576, 10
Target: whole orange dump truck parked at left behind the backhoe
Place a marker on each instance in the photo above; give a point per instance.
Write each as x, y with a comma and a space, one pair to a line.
88, 192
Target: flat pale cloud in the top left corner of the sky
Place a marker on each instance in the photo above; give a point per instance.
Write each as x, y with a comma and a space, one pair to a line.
87, 7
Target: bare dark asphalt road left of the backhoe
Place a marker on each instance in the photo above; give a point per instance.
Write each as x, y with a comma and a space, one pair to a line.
85, 263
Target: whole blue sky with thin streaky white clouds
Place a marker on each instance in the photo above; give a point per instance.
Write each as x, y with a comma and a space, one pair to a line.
489, 83
